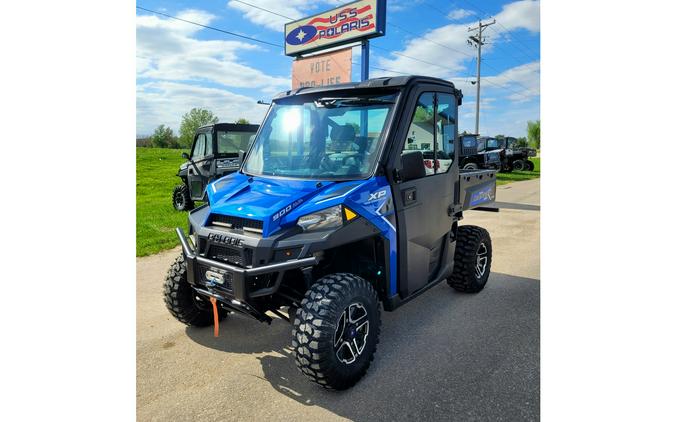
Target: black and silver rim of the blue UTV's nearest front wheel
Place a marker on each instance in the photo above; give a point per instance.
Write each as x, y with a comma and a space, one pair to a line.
351, 333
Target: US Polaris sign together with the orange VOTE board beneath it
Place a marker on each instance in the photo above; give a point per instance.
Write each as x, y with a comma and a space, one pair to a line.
345, 24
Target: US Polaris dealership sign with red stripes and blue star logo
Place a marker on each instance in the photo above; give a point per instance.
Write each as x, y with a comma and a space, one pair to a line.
345, 24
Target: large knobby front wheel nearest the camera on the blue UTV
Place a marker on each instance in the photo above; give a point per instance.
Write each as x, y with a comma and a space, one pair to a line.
336, 330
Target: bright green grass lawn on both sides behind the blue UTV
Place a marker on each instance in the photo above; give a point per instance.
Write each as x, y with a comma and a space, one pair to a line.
155, 178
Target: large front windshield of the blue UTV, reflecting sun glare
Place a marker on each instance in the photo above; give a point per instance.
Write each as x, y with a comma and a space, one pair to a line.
321, 138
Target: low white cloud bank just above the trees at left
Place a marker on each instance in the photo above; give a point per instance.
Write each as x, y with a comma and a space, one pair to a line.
166, 102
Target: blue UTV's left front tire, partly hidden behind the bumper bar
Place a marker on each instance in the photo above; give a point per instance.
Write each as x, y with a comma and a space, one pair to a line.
183, 302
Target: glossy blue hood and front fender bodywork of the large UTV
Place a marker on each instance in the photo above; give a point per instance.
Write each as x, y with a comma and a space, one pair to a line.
278, 203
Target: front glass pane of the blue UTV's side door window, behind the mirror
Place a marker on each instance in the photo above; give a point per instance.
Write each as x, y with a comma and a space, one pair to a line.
421, 132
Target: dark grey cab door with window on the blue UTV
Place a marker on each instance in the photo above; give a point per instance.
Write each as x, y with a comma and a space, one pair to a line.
423, 198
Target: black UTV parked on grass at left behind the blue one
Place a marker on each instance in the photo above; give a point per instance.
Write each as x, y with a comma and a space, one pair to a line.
214, 154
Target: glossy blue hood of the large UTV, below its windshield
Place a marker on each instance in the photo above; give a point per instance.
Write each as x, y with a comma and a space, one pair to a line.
278, 203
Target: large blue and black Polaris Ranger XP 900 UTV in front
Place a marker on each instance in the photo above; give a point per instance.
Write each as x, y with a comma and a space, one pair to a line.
333, 213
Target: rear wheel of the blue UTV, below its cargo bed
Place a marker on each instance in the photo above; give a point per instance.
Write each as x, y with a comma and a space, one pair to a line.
473, 259
